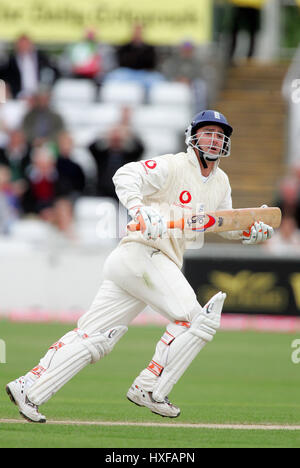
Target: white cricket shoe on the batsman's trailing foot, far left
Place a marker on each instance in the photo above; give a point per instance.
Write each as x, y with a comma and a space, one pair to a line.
17, 393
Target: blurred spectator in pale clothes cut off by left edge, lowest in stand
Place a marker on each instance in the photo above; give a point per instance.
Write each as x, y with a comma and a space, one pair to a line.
9, 202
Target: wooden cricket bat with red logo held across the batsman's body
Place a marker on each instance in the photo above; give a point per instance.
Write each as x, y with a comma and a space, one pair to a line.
226, 220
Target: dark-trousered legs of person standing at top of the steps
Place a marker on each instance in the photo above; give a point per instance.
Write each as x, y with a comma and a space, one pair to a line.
245, 17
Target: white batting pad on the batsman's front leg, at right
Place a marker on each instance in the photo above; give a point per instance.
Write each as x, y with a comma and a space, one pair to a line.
184, 349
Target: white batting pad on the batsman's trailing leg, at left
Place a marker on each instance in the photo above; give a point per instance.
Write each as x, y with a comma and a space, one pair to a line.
67, 357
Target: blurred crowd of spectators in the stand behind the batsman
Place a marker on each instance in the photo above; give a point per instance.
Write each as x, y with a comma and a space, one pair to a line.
38, 174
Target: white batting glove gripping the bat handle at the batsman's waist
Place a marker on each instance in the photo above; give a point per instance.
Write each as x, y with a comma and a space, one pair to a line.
153, 224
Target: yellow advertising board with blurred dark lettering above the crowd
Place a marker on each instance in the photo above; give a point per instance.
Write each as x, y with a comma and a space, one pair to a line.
165, 21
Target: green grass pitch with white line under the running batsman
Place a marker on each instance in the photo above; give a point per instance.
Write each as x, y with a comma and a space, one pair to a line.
239, 378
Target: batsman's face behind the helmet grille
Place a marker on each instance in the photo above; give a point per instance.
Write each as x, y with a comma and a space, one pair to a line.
211, 139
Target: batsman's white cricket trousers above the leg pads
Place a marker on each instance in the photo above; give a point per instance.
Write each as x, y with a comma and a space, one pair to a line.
135, 276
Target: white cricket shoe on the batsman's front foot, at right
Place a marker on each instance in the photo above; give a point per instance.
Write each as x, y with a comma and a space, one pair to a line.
143, 398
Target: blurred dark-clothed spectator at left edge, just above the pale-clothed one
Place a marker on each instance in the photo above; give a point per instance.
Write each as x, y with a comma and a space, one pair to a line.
16, 154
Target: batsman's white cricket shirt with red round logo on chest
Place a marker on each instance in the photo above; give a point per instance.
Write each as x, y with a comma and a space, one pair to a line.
174, 185
